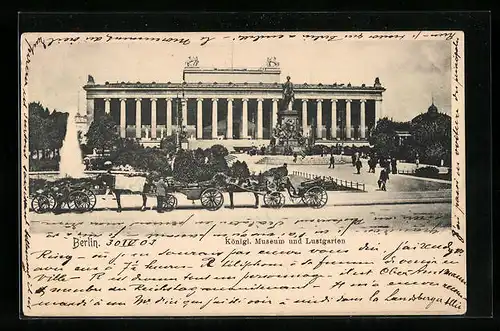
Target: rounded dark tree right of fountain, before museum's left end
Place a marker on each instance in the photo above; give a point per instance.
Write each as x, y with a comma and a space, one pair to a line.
103, 134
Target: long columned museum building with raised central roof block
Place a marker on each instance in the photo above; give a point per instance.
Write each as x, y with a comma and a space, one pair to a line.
235, 106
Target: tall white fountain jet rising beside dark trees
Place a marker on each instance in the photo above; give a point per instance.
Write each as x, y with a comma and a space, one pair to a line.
71, 163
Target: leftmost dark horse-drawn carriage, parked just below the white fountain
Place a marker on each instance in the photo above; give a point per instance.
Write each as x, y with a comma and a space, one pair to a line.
74, 196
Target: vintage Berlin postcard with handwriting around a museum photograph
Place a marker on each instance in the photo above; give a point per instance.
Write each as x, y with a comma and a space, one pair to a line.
243, 174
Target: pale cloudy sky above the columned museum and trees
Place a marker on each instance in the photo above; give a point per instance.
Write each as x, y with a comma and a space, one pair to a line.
413, 72
